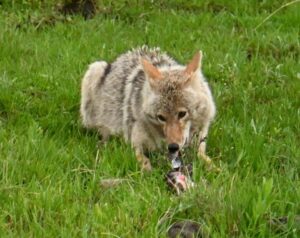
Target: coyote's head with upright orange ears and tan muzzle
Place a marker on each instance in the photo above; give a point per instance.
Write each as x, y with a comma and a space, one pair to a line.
175, 100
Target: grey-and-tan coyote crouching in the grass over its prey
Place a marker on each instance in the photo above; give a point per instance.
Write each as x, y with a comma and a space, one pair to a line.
150, 99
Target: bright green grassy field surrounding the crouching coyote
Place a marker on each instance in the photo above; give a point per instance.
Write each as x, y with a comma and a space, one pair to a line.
51, 168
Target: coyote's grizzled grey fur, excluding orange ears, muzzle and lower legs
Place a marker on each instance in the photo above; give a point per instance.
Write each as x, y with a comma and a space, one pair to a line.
118, 98
